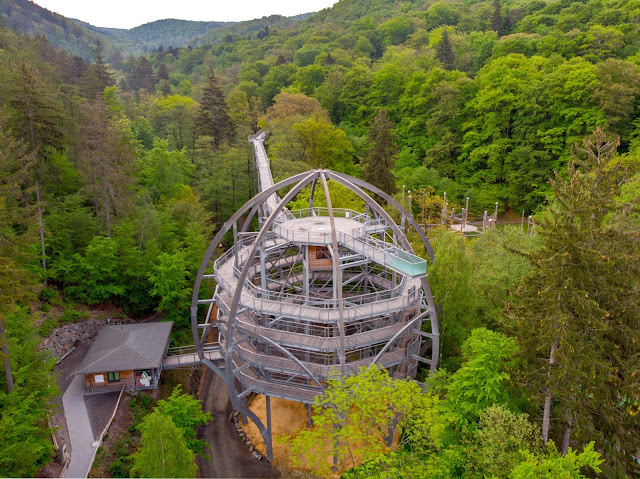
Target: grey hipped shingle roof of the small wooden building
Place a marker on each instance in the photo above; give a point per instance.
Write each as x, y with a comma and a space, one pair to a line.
124, 347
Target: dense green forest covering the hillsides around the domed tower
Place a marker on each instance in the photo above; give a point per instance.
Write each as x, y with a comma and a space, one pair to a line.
113, 181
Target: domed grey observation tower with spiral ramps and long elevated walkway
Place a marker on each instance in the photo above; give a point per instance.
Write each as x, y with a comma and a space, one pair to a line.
311, 293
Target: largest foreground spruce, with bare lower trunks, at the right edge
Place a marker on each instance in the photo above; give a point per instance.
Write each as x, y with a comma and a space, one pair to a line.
577, 316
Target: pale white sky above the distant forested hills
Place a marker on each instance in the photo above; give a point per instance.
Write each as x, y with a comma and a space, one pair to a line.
131, 13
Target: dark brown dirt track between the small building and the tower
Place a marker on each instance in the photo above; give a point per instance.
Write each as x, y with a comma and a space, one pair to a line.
229, 455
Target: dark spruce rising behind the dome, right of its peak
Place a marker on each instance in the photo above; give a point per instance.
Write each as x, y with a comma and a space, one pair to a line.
379, 160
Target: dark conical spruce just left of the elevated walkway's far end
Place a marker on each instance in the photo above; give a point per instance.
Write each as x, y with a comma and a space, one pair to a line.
213, 119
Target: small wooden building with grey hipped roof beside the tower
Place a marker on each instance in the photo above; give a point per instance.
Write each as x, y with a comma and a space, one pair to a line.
129, 355
